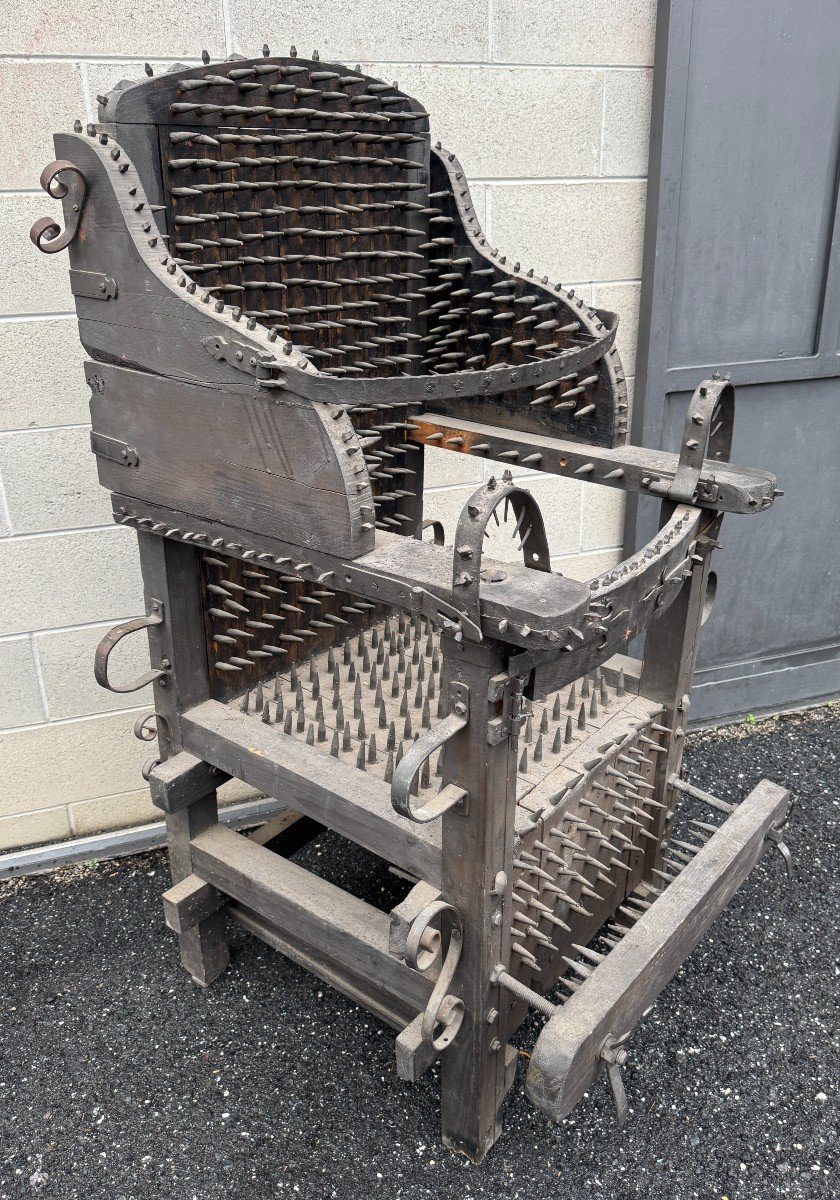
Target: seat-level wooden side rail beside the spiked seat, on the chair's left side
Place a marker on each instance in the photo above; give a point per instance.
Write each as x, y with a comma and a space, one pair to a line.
332, 793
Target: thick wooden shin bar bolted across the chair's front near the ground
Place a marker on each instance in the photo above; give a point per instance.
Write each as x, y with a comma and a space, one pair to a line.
614, 1000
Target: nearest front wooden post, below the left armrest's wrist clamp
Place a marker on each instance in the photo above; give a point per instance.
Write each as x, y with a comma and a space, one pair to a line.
477, 880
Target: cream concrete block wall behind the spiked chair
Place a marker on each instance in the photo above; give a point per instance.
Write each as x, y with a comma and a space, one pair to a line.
545, 103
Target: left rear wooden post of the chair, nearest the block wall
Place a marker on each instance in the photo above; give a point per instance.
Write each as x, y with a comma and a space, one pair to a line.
171, 575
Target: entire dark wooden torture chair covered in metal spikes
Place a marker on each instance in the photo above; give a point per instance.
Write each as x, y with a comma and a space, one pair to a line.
286, 297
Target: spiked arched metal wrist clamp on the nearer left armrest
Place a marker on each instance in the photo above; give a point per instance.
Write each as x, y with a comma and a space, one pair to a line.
471, 532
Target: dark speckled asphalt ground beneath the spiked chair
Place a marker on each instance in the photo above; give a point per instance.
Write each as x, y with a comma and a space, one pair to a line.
121, 1079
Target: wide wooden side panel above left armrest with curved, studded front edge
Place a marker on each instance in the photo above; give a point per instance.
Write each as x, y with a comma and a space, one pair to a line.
218, 452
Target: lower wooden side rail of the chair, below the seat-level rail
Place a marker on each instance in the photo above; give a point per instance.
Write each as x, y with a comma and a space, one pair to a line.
319, 916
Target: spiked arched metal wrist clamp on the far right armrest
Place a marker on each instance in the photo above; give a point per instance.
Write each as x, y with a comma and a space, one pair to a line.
707, 435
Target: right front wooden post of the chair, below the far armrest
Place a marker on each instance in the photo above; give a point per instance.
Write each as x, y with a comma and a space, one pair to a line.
668, 673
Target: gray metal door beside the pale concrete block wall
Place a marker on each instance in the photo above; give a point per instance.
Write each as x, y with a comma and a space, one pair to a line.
742, 275
